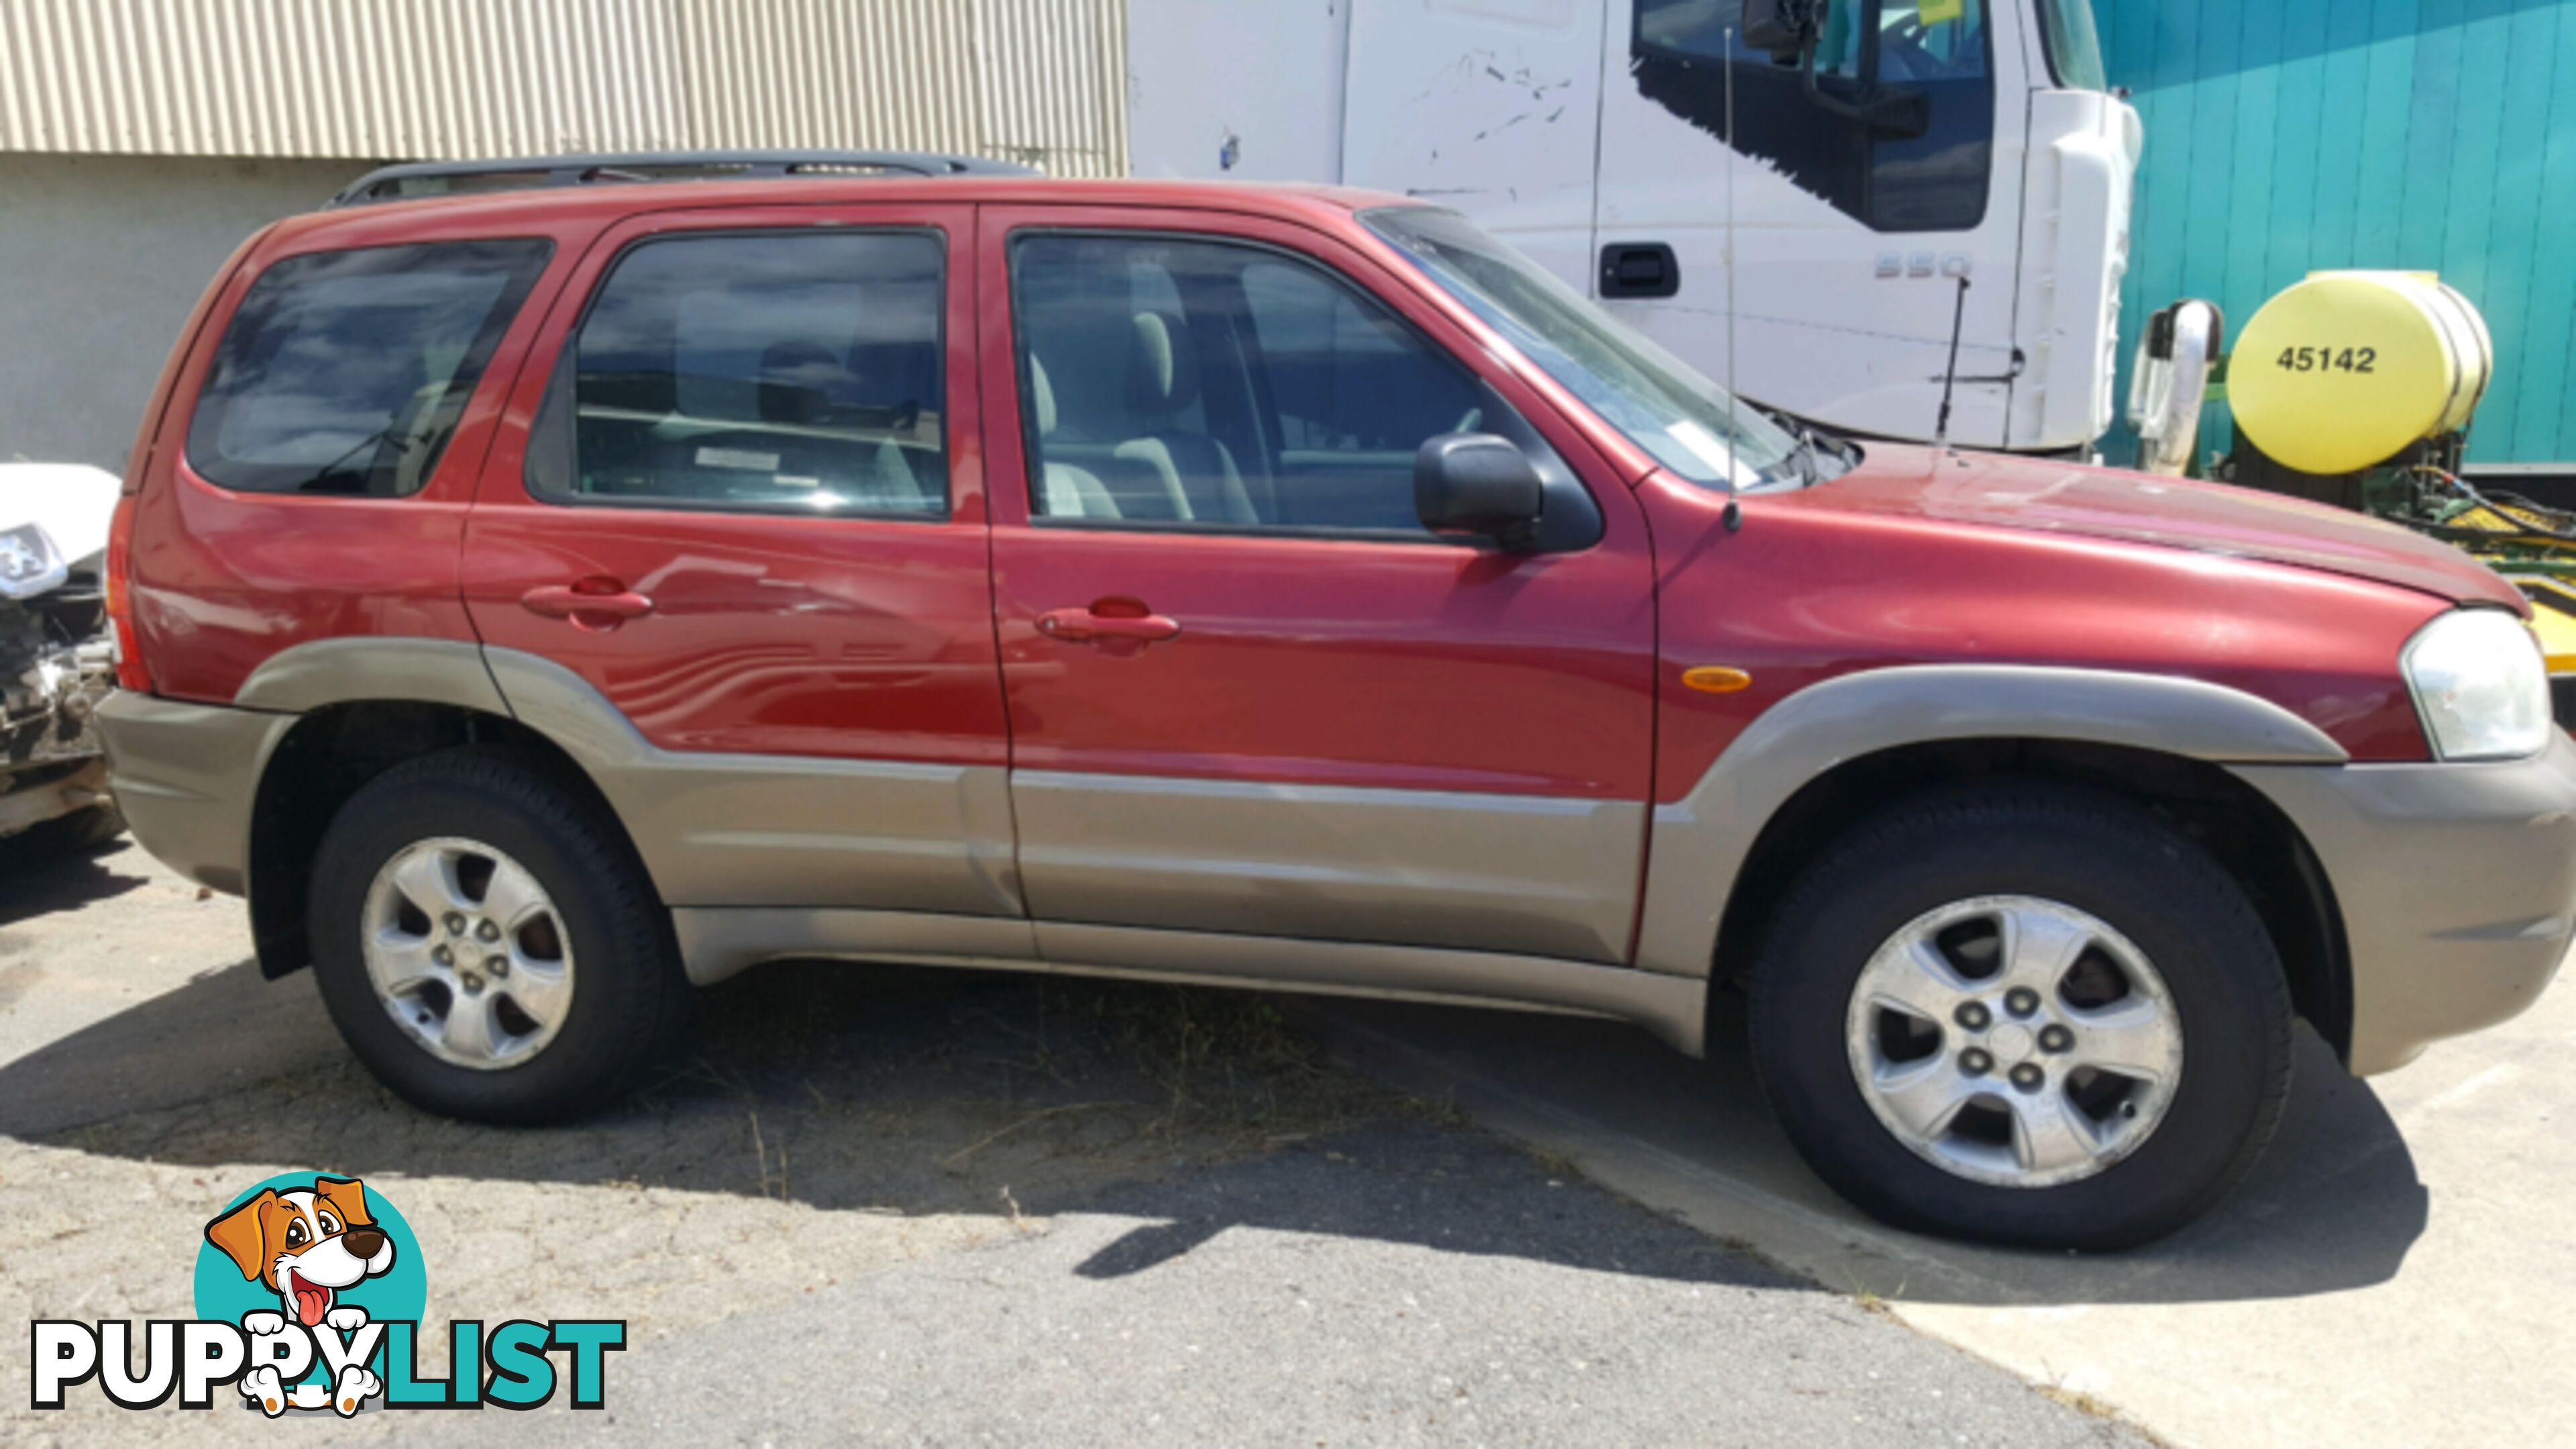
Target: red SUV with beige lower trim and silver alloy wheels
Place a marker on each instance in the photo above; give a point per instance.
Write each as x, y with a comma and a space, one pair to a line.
550, 587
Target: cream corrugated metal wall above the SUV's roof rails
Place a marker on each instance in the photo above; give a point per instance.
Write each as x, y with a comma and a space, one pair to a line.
1037, 81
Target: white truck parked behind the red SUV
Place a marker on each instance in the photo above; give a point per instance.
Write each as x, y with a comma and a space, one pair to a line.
1882, 156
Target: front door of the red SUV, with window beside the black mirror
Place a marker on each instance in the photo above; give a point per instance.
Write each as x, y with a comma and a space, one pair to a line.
1248, 692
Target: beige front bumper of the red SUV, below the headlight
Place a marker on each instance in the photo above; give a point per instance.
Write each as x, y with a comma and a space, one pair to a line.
2456, 886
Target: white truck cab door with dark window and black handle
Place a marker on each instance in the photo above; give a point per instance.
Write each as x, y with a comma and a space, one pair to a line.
1851, 236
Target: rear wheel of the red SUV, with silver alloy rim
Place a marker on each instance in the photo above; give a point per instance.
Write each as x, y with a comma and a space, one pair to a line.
491, 945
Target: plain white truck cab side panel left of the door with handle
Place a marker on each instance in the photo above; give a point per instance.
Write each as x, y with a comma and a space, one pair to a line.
1490, 107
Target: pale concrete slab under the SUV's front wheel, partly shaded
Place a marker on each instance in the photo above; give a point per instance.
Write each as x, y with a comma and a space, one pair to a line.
2400, 1267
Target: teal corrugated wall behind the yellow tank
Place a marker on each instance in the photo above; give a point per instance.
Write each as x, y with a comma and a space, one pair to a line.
2299, 135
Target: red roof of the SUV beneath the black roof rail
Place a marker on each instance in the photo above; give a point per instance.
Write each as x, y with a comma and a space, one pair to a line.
599, 202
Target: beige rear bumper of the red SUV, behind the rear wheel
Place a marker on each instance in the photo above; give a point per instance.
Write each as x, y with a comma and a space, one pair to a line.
187, 777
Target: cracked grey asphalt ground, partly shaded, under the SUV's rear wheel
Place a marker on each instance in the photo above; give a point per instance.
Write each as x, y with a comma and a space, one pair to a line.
926, 1208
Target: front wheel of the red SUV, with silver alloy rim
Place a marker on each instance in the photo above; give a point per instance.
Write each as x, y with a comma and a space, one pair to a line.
2023, 1015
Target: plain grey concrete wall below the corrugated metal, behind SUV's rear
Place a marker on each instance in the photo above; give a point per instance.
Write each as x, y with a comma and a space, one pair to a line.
102, 259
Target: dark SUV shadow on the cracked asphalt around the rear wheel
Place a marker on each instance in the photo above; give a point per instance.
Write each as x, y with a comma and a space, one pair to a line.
882, 1089
